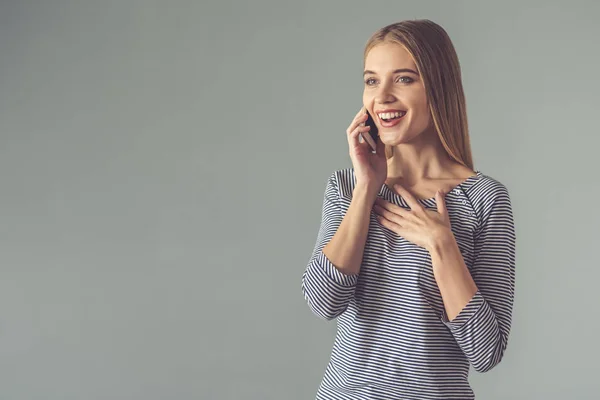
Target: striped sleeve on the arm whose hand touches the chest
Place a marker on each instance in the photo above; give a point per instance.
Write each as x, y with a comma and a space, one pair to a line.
482, 328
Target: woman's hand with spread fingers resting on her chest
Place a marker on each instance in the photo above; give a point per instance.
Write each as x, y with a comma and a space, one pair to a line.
418, 225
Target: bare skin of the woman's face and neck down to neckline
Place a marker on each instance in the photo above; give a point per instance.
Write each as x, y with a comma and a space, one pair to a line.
419, 157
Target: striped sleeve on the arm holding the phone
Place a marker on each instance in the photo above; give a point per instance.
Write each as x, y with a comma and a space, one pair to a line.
327, 290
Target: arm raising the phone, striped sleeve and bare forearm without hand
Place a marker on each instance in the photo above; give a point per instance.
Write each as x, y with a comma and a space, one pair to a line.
330, 278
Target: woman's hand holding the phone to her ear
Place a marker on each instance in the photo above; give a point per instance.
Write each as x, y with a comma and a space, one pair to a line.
370, 169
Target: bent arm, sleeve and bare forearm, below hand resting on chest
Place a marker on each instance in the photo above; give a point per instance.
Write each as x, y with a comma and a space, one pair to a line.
478, 305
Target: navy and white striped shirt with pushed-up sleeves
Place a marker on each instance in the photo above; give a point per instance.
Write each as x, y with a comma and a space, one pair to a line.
394, 340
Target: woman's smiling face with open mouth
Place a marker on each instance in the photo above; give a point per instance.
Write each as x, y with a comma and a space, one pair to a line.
394, 94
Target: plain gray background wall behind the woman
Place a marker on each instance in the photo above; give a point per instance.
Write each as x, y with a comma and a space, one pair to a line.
162, 167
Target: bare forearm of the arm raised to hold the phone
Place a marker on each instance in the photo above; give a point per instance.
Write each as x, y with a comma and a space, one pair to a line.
346, 248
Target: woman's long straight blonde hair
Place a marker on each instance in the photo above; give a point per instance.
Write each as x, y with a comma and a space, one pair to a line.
437, 63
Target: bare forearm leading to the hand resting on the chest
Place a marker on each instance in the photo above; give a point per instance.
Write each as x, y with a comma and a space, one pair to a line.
453, 278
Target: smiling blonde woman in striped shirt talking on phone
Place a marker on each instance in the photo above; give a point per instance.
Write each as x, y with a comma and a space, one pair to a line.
415, 255
